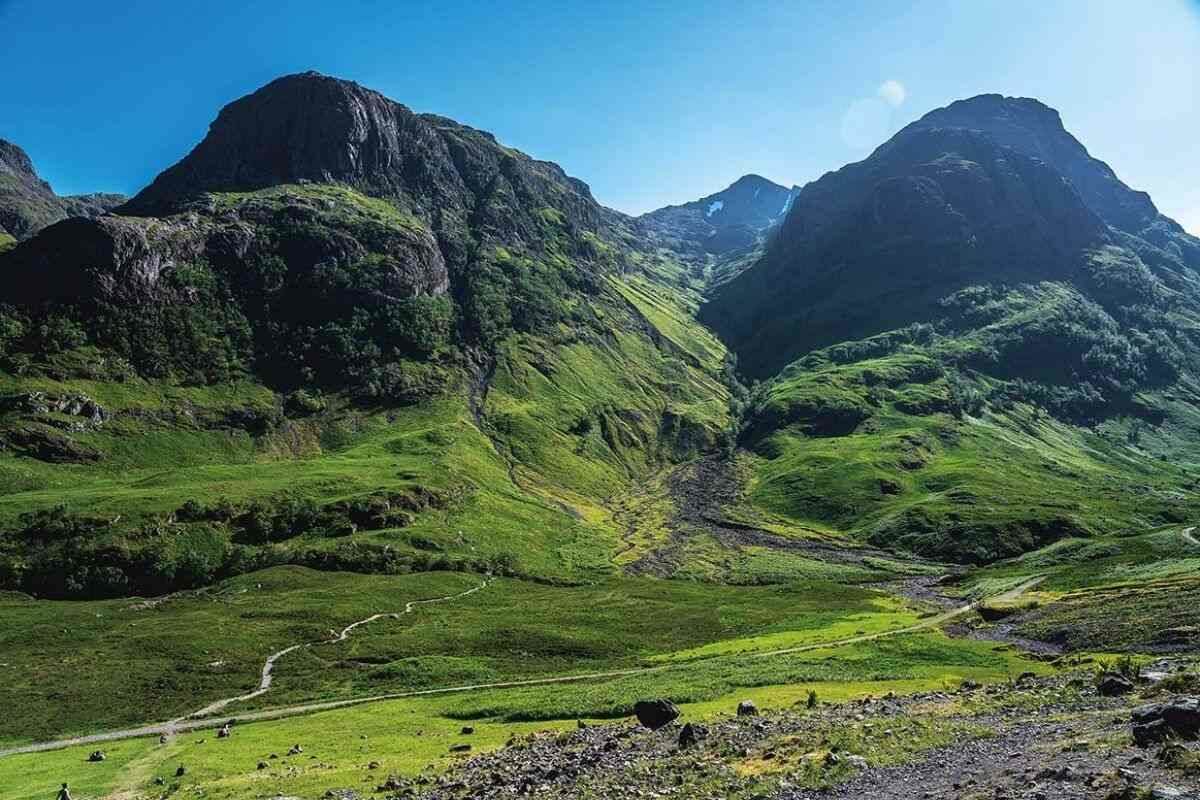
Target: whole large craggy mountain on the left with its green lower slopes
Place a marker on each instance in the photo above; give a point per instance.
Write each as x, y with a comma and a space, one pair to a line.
331, 285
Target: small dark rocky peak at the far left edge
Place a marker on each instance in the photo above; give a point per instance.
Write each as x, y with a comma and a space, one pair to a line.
29, 204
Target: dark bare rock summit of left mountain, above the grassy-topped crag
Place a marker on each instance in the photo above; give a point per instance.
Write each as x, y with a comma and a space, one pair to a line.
311, 128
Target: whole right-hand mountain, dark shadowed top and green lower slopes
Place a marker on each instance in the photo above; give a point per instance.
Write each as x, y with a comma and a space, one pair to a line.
974, 344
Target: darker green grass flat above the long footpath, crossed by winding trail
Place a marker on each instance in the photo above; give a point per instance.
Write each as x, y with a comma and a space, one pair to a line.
74, 667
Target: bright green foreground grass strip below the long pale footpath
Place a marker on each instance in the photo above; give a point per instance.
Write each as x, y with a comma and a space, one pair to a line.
410, 736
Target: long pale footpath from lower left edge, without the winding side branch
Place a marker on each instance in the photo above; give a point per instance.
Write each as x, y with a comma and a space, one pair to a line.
191, 724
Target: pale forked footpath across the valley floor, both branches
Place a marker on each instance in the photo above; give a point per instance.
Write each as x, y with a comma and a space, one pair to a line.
201, 720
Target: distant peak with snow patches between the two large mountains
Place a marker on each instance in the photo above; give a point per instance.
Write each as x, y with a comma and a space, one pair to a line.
734, 219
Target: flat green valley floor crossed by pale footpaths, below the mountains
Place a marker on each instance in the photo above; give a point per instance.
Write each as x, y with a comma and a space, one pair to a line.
377, 677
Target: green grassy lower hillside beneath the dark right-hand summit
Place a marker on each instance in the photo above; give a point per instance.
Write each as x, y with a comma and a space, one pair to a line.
911, 440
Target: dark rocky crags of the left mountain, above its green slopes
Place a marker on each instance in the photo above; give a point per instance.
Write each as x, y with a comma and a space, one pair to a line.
322, 233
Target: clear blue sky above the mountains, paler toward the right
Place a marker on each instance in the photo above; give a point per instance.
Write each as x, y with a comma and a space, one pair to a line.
649, 103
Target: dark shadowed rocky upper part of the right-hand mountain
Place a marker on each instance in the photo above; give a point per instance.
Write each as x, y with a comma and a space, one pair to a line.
989, 190
